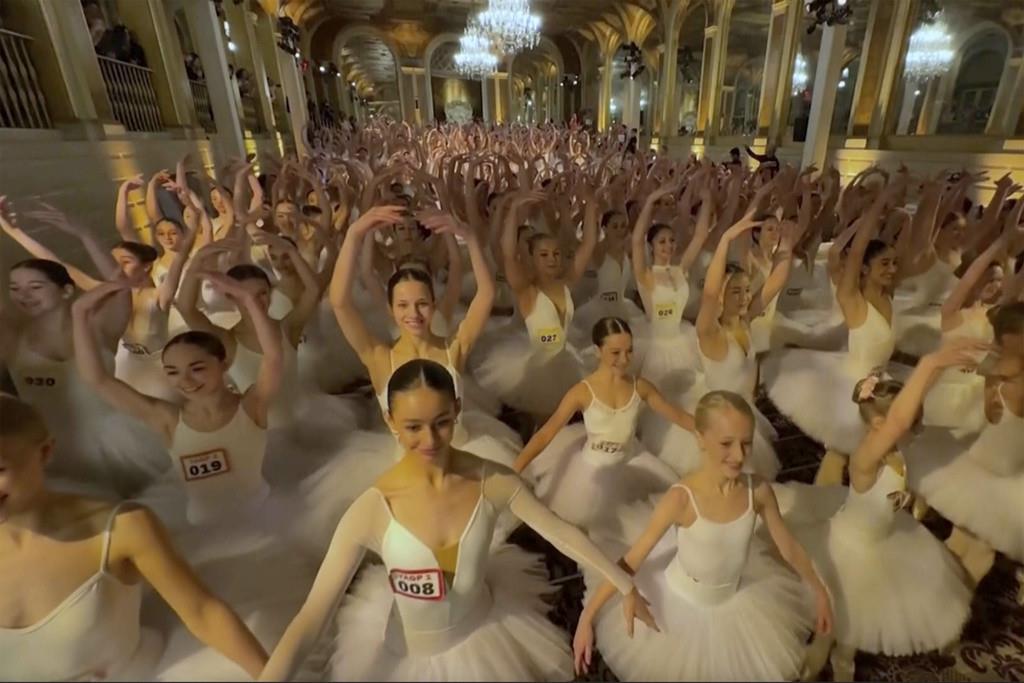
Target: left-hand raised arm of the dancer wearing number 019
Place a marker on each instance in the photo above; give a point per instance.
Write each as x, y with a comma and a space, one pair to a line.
159, 415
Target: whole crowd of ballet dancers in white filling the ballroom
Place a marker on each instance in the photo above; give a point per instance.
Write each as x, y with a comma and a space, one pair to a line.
271, 436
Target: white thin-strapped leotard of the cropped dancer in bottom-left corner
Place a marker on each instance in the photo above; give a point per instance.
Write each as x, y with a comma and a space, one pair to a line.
90, 636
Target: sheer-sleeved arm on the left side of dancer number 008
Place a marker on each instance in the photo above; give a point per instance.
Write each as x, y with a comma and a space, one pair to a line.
344, 559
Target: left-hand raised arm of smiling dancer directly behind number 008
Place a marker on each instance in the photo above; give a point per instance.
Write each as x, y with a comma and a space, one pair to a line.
350, 320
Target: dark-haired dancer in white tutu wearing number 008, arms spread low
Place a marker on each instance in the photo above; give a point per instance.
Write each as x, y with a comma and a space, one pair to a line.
444, 607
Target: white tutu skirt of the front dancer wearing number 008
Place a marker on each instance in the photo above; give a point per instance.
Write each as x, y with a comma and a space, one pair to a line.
514, 642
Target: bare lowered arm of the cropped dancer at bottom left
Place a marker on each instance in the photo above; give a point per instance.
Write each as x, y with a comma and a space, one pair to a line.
142, 540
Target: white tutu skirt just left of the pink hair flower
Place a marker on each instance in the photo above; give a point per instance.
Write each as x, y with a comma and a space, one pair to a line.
816, 392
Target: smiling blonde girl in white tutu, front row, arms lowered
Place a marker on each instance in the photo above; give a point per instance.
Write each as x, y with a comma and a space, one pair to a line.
728, 610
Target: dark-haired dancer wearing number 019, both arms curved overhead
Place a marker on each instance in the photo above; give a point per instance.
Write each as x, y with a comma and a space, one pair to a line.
215, 500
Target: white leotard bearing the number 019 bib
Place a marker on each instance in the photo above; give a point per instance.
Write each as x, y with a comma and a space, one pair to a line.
222, 469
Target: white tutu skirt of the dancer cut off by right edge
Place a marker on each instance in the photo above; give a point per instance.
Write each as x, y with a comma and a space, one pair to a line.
957, 479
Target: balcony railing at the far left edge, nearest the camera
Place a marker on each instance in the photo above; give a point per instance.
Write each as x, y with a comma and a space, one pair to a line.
22, 102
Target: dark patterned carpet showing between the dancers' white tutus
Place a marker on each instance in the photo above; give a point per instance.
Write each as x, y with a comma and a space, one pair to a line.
993, 645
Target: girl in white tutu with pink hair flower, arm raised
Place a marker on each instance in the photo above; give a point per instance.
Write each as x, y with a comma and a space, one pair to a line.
897, 589
